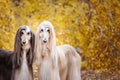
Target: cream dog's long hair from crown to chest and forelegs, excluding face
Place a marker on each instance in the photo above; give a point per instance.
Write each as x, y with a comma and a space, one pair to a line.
42, 51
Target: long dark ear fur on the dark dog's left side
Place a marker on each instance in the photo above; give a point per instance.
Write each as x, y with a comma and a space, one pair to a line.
17, 49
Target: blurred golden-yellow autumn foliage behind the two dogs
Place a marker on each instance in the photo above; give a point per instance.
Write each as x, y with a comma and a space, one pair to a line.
92, 25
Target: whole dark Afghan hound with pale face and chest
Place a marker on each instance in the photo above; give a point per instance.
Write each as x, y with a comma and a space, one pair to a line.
19, 62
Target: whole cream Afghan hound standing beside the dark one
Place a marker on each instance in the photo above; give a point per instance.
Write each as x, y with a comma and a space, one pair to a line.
55, 62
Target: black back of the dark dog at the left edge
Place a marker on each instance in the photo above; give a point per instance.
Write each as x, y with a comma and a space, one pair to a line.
5, 64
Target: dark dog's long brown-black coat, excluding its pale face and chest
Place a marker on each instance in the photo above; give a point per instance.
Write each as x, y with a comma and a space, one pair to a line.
11, 61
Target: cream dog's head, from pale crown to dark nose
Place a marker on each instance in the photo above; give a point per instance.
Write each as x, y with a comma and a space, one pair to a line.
46, 32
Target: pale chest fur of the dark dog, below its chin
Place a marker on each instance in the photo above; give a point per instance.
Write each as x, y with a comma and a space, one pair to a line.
23, 73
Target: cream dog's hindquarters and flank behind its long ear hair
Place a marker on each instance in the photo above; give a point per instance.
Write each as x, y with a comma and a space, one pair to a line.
69, 63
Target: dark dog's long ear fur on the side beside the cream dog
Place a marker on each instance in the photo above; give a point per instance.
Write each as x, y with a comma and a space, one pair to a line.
30, 53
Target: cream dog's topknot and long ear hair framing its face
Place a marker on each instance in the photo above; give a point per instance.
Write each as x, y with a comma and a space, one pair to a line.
51, 45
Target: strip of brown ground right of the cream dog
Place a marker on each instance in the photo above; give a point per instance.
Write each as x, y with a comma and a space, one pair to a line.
96, 75
